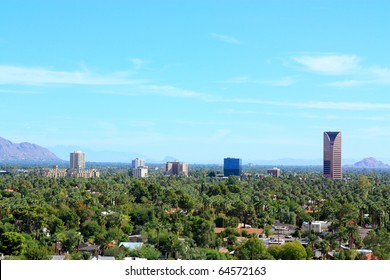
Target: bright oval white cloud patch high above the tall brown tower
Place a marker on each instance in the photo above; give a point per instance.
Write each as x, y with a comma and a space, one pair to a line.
329, 64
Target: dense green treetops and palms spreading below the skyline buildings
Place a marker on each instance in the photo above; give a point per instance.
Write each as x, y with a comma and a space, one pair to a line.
177, 215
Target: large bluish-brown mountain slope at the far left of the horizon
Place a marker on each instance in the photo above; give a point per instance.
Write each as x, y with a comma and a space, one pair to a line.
11, 152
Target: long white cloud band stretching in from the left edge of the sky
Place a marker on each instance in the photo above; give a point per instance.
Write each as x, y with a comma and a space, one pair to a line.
39, 76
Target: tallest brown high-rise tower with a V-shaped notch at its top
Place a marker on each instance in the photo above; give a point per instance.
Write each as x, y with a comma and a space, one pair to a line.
332, 155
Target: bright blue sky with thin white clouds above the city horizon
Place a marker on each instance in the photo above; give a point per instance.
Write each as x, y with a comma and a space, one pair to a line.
197, 80
